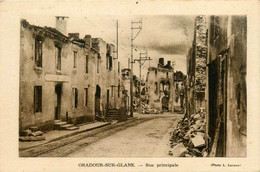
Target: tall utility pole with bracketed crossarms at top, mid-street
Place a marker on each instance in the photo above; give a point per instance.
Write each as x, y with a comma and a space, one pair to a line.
134, 26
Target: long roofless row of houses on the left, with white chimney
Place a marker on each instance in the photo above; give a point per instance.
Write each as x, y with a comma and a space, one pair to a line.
64, 78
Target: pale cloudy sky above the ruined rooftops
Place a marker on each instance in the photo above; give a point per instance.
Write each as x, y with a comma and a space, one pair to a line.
167, 36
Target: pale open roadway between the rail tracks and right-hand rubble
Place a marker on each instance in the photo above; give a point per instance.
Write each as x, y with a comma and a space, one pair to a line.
148, 139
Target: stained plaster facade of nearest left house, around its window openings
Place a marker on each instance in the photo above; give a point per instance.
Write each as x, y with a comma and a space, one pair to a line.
48, 77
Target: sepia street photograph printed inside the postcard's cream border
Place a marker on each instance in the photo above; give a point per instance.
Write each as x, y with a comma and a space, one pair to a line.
110, 88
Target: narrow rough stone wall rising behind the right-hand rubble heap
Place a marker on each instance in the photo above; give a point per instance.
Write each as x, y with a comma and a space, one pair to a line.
196, 65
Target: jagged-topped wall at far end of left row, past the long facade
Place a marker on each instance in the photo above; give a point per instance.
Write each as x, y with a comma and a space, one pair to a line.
107, 78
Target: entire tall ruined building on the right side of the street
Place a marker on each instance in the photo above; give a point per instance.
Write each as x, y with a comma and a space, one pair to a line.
216, 81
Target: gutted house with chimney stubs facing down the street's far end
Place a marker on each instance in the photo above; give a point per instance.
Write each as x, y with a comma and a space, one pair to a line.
161, 88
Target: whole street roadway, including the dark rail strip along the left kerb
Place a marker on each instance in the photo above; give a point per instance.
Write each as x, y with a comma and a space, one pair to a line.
142, 136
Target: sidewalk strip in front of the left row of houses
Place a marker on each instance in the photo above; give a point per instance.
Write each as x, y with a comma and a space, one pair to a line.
60, 134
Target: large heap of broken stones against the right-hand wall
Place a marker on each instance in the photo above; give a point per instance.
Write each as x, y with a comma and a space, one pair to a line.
188, 139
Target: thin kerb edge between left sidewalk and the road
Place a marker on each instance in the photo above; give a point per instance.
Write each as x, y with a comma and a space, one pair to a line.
67, 135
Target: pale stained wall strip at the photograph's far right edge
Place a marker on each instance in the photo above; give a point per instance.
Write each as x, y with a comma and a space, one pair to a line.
237, 99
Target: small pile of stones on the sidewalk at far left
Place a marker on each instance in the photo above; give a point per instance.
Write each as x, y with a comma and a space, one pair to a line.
31, 134
